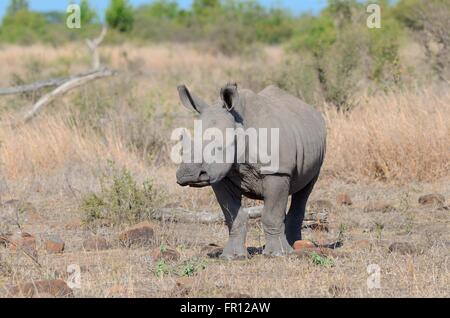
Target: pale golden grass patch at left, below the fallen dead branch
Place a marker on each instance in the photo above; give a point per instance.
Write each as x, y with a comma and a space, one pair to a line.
49, 144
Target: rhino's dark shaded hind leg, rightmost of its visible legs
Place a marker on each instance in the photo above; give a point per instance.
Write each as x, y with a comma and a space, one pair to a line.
296, 213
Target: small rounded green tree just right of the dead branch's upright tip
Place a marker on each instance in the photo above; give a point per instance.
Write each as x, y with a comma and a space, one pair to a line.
119, 15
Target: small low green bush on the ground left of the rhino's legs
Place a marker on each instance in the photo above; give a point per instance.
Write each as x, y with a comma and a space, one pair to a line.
121, 202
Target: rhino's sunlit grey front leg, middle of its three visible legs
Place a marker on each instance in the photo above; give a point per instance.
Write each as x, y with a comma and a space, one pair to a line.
276, 193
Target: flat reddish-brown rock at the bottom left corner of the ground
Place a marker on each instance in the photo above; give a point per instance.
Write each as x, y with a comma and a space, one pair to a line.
53, 288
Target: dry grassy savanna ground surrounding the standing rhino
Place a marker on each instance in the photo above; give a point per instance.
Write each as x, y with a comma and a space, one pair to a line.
387, 152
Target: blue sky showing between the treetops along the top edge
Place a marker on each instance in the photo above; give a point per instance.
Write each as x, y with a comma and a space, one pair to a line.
297, 6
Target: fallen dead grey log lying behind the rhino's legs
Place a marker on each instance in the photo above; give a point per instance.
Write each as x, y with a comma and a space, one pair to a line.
314, 220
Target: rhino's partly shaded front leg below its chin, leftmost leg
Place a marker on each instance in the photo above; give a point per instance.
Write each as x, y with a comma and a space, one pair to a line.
229, 198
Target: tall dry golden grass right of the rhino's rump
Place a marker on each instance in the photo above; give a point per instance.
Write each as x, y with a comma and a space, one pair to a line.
395, 136
